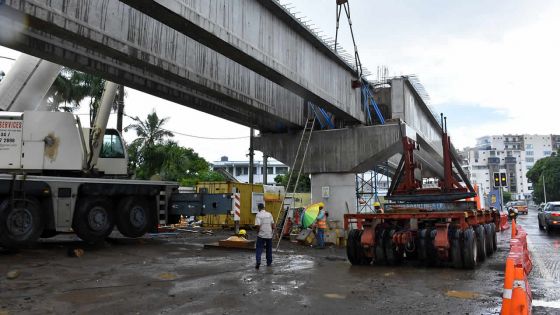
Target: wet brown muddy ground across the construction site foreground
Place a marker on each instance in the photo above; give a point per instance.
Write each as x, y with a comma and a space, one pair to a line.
176, 275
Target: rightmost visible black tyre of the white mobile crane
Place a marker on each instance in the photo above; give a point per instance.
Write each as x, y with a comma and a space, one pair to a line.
134, 216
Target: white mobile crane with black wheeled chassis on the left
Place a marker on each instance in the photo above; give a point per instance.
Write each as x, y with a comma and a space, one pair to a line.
56, 176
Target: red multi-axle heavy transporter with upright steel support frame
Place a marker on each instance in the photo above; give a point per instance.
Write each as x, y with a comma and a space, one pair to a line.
435, 226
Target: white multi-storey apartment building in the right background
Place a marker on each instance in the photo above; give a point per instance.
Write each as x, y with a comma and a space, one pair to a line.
514, 155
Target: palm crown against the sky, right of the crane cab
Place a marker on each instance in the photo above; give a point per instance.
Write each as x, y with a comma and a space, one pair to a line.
149, 131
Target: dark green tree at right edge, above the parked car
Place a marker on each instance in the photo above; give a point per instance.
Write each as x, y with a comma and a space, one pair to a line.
548, 167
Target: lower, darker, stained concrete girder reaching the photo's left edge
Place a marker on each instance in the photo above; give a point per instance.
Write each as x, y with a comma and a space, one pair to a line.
119, 43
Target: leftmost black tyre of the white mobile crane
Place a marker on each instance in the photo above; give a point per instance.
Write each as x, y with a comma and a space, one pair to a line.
21, 225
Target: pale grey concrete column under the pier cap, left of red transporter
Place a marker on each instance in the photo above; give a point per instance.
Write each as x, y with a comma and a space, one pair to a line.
336, 191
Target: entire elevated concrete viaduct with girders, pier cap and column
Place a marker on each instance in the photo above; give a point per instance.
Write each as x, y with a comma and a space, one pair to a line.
247, 61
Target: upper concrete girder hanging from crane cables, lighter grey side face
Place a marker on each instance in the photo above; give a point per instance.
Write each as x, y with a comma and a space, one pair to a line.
290, 55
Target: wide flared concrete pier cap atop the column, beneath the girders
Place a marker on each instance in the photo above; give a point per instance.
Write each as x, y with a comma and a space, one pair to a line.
350, 150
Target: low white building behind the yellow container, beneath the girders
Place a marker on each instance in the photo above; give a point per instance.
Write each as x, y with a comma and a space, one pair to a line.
240, 169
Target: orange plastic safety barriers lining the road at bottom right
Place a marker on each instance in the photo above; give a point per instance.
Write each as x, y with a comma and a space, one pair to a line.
517, 296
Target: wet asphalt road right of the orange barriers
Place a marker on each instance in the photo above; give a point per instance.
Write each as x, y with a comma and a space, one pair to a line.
545, 253
